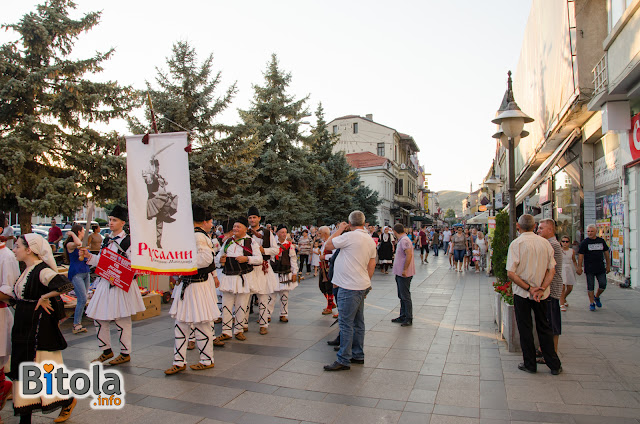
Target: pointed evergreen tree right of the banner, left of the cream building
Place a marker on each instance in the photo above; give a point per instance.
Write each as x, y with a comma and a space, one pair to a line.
285, 175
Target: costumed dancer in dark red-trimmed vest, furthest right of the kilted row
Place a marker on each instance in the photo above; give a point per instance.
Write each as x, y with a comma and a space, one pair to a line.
285, 266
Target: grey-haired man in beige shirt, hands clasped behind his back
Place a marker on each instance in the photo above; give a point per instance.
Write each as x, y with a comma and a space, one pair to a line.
531, 267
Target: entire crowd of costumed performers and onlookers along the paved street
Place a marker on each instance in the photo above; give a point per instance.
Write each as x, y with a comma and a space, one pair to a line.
244, 262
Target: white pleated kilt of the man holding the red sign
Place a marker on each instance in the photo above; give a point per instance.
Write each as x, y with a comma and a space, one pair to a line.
109, 303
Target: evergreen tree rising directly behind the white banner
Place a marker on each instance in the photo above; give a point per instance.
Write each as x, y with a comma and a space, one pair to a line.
221, 163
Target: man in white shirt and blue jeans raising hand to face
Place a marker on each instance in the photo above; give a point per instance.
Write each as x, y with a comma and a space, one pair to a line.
353, 269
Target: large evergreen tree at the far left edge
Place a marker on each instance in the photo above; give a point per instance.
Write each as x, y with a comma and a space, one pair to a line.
52, 158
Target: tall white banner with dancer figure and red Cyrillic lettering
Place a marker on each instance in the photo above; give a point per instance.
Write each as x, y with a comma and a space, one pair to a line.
162, 237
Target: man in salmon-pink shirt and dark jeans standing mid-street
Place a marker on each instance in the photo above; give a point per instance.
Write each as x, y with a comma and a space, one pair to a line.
404, 270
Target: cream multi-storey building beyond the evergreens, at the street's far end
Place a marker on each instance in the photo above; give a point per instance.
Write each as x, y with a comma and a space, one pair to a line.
357, 134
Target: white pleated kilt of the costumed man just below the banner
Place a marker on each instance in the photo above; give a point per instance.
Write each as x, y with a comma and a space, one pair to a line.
200, 303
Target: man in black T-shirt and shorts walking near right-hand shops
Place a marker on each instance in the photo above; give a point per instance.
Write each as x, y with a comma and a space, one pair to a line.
594, 252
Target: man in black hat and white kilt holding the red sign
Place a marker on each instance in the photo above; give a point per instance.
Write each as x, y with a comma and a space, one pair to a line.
110, 303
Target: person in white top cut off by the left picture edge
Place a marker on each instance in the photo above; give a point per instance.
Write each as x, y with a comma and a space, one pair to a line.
9, 273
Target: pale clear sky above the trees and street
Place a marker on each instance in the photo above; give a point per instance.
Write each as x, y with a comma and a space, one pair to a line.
430, 68
